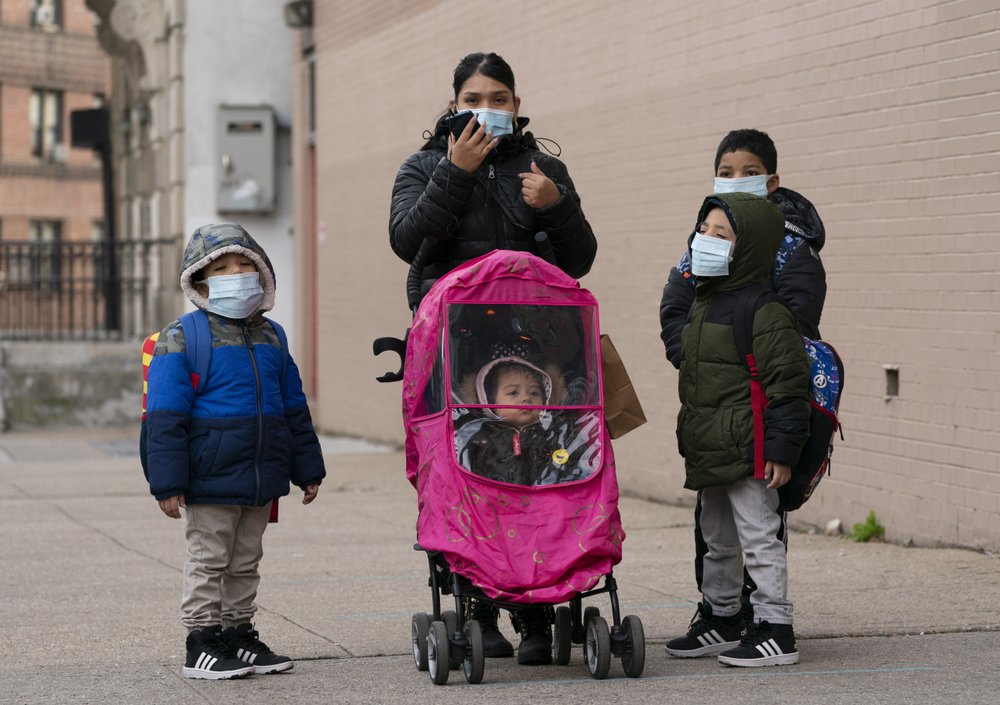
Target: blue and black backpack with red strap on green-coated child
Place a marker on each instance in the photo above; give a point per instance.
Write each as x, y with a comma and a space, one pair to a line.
826, 384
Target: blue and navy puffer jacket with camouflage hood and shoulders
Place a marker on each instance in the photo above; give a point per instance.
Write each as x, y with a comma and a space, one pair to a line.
245, 436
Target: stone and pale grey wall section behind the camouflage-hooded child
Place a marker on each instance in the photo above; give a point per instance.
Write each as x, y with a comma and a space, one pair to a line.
190, 80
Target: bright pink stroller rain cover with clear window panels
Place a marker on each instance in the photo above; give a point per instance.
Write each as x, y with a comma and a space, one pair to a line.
554, 529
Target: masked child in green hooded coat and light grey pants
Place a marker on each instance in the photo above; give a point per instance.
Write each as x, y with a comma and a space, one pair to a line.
738, 236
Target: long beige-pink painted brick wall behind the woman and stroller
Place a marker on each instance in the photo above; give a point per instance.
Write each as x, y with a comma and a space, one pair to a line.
885, 115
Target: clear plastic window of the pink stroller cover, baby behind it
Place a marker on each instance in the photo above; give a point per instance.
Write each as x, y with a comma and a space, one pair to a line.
525, 391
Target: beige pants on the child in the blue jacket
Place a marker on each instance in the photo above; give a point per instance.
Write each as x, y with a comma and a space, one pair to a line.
225, 545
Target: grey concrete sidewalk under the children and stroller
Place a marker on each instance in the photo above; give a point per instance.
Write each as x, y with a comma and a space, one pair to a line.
90, 587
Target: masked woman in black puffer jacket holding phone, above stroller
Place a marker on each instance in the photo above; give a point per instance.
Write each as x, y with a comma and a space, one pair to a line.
489, 188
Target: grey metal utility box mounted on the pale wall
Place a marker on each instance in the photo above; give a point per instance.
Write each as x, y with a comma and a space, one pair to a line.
245, 140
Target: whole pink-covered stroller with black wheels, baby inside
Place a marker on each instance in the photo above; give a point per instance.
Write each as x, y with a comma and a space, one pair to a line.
518, 499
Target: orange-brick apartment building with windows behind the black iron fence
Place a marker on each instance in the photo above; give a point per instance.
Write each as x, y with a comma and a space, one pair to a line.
50, 192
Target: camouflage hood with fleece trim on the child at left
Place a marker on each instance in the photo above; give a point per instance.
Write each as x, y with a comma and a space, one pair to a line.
209, 242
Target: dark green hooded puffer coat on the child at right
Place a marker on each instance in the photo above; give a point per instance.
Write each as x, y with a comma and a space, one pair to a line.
715, 424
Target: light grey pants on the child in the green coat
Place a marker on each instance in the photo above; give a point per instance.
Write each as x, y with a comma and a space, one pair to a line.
740, 520
